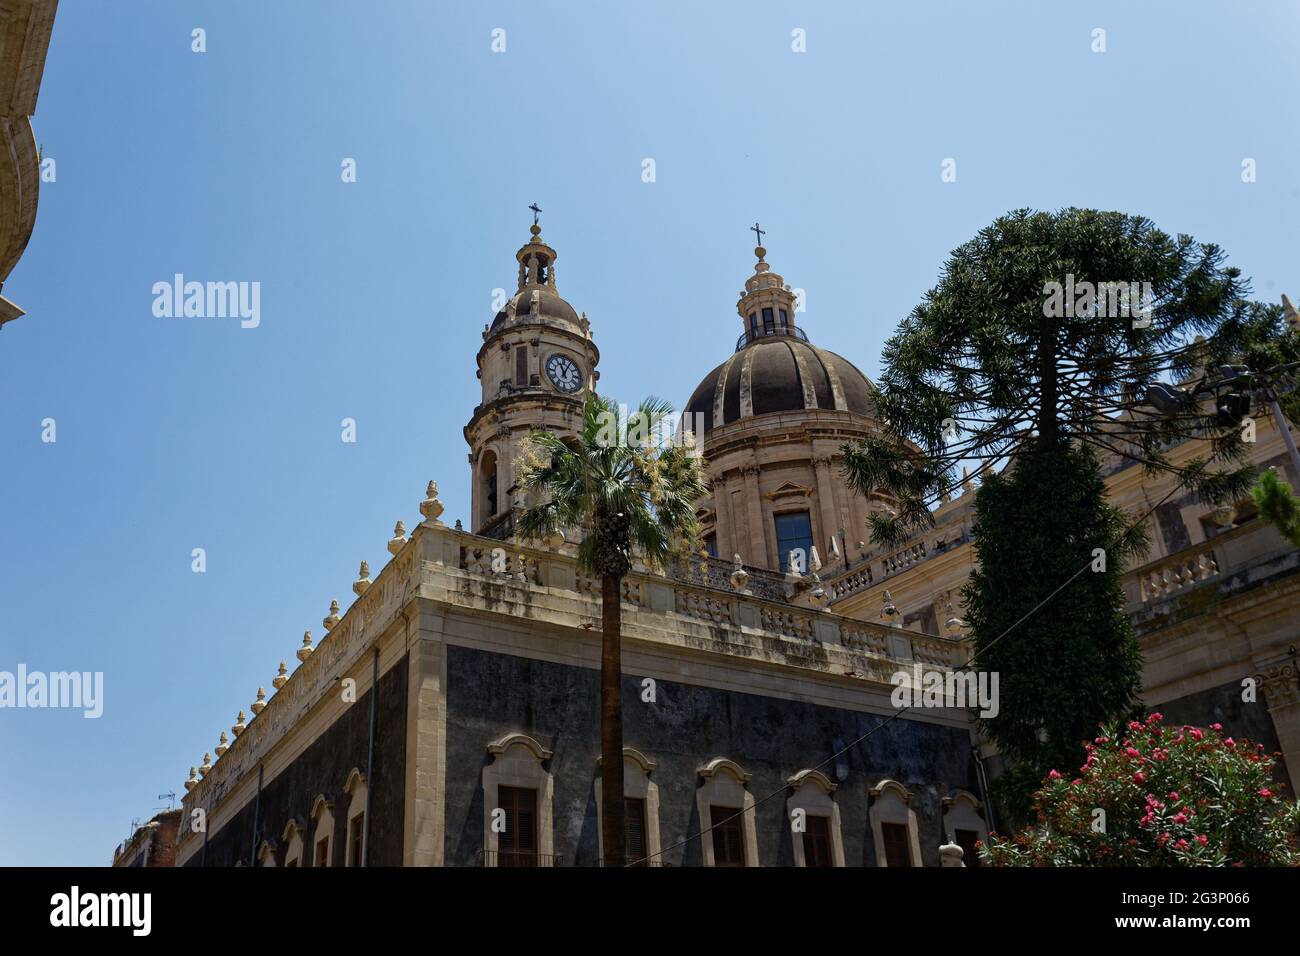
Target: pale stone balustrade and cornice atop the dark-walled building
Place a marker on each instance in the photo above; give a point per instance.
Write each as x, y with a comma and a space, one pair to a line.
450, 566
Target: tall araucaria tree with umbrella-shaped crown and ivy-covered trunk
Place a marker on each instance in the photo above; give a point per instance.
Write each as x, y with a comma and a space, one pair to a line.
1037, 351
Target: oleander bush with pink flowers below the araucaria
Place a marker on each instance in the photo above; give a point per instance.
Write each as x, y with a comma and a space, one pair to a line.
1150, 795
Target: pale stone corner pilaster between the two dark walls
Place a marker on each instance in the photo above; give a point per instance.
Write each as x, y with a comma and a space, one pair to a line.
427, 745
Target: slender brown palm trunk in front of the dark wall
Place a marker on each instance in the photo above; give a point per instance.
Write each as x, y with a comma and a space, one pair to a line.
612, 721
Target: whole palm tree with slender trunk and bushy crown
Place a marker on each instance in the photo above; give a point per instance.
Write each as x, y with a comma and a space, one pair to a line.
626, 494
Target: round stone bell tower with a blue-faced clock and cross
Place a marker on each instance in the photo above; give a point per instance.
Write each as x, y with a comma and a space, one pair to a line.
536, 366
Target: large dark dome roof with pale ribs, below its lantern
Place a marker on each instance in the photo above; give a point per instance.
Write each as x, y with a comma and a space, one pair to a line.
775, 374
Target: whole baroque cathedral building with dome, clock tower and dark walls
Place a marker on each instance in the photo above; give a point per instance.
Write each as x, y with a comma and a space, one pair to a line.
450, 716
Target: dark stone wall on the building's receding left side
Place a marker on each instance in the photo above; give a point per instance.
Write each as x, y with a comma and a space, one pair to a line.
323, 768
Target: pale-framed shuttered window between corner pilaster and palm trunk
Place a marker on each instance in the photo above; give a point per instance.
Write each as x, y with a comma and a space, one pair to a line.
518, 797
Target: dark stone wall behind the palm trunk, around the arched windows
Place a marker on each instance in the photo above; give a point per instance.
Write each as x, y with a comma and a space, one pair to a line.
491, 695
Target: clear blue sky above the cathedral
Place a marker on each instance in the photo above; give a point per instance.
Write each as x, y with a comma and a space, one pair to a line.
183, 434
